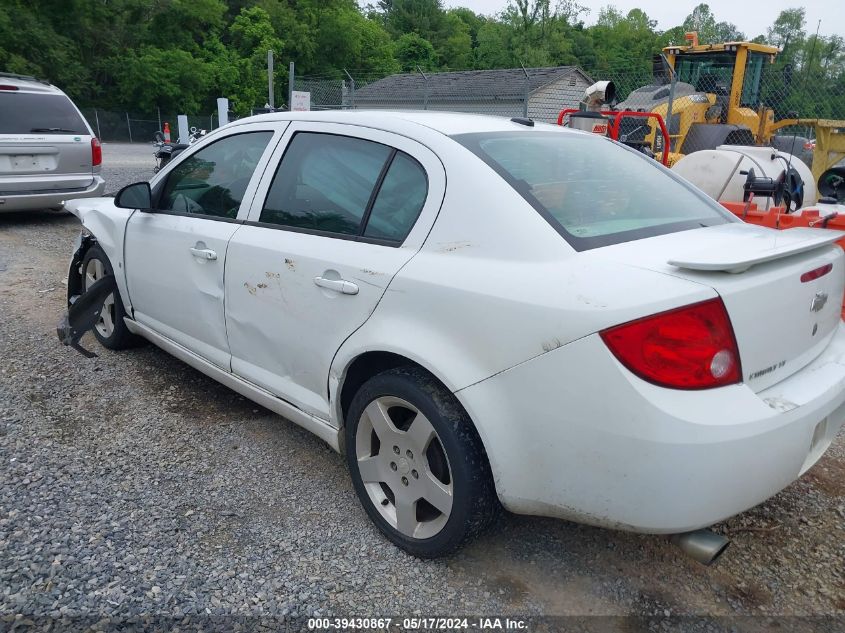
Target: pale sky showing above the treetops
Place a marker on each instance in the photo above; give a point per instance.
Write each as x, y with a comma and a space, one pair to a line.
752, 17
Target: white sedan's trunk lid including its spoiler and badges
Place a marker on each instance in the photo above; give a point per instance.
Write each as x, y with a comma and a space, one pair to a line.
783, 301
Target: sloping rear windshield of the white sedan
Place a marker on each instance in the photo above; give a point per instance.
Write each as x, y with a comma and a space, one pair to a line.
592, 191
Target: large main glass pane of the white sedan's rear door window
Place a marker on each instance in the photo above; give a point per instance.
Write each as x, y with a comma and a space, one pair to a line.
324, 183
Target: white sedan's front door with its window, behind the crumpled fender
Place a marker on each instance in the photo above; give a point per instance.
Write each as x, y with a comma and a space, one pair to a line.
175, 254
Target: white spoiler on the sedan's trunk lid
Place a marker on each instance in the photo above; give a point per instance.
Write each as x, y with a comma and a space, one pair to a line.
736, 255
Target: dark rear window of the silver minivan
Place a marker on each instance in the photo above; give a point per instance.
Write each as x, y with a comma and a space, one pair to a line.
25, 113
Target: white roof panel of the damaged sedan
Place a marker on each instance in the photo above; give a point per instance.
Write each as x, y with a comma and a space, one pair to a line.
449, 123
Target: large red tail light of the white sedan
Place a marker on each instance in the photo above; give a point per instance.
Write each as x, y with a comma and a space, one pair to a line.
687, 348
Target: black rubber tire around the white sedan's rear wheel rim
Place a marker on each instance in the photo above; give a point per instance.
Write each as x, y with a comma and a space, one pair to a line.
475, 505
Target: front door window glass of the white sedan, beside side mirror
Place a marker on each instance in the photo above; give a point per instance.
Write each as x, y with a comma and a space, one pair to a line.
213, 181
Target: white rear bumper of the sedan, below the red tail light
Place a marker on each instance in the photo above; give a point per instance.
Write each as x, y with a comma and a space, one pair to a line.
573, 434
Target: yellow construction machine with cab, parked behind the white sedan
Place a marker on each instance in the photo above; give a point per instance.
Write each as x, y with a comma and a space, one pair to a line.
712, 97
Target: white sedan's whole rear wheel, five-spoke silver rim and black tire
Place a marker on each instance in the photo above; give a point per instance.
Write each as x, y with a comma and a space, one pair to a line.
418, 464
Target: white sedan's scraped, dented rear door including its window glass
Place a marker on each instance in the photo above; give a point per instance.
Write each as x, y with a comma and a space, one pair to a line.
339, 211
